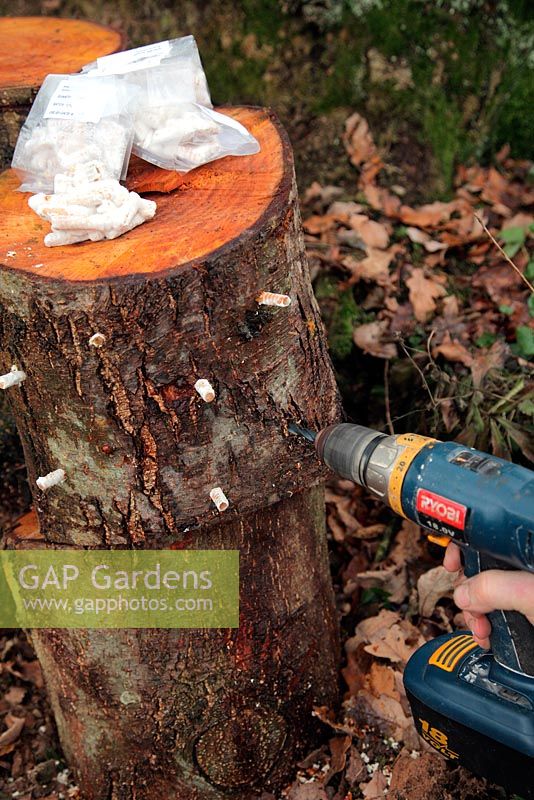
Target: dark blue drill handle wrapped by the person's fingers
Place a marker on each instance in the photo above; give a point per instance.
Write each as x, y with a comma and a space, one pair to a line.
512, 635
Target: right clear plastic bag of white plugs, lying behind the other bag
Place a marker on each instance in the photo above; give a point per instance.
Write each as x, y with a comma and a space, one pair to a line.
175, 126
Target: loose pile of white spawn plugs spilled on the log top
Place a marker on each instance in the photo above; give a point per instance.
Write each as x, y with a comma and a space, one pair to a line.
86, 205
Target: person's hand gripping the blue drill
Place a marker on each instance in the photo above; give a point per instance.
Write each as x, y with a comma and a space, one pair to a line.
488, 591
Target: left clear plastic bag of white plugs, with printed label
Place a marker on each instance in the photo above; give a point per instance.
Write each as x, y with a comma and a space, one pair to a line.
75, 120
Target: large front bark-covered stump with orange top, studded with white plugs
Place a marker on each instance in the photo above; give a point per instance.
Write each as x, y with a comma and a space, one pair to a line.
221, 713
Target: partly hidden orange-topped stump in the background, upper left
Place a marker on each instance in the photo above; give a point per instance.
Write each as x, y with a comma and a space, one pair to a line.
31, 48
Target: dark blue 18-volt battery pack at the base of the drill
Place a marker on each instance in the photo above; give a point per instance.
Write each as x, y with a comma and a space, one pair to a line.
473, 711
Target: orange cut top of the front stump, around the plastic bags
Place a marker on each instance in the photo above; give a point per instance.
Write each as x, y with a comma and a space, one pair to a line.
212, 206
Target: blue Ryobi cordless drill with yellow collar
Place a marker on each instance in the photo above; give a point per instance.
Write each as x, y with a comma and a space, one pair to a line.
474, 706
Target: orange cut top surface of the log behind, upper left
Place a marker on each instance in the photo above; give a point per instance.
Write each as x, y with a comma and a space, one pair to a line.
32, 47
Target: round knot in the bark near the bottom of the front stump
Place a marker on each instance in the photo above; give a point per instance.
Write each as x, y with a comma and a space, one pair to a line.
243, 750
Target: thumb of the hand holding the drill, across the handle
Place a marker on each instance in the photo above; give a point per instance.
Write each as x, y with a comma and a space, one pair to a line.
496, 589
